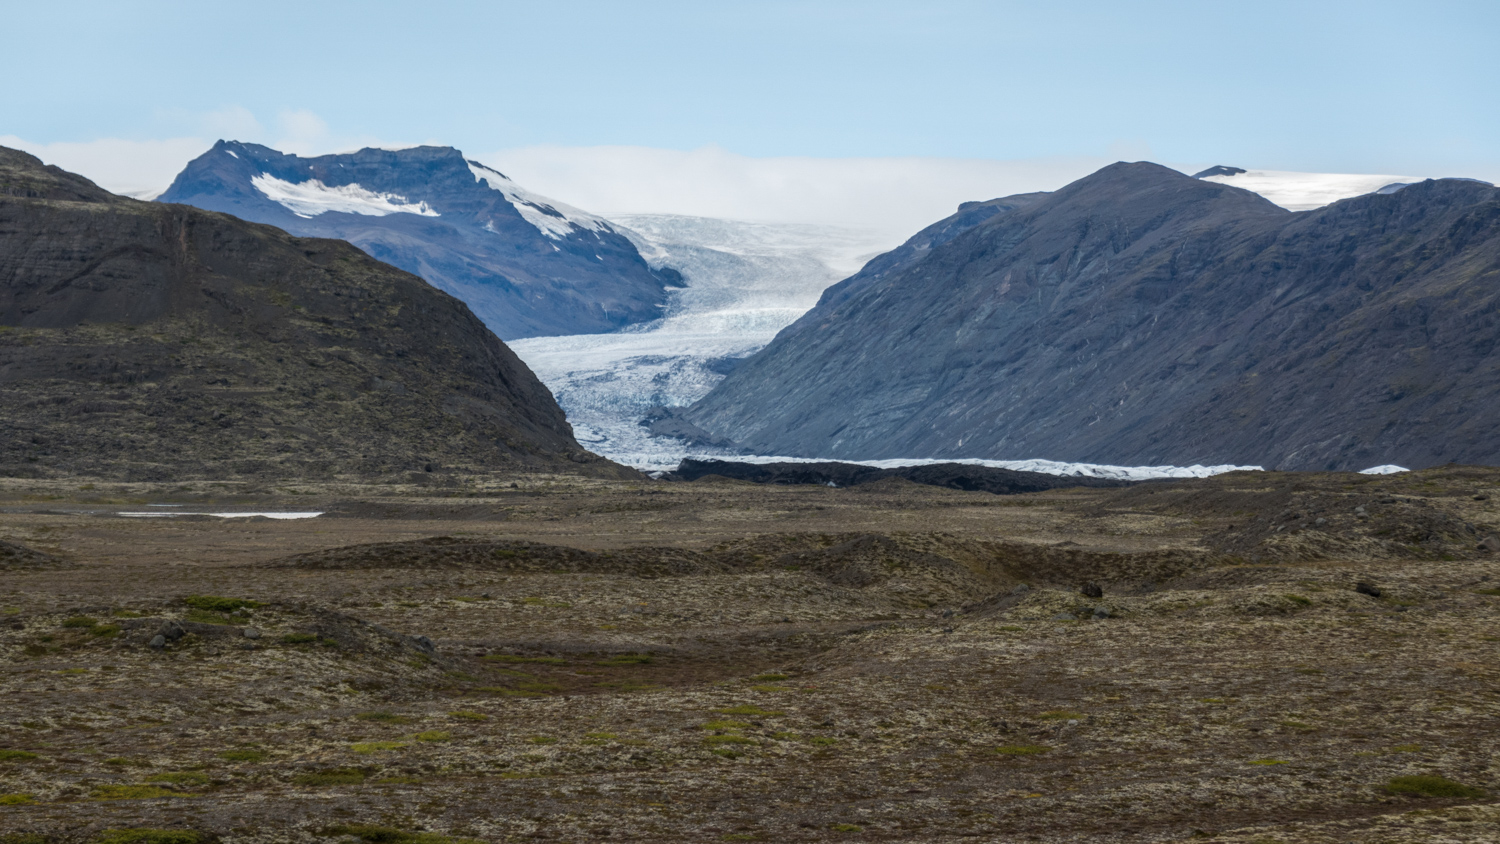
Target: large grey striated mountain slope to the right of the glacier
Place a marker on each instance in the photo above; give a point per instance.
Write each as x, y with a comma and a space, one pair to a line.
1144, 317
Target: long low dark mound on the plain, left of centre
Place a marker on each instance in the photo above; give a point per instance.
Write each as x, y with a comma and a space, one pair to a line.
502, 555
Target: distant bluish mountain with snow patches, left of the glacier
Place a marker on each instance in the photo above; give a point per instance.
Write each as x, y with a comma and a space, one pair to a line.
526, 265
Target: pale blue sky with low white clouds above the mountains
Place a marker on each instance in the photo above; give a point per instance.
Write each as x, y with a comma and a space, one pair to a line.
830, 112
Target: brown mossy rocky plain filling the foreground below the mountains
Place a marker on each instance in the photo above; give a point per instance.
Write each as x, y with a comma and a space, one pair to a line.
1247, 659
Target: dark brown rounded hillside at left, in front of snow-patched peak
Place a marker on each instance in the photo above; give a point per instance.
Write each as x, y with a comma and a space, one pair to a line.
146, 341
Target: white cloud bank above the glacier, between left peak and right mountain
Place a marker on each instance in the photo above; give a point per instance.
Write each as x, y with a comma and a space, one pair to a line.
886, 194
